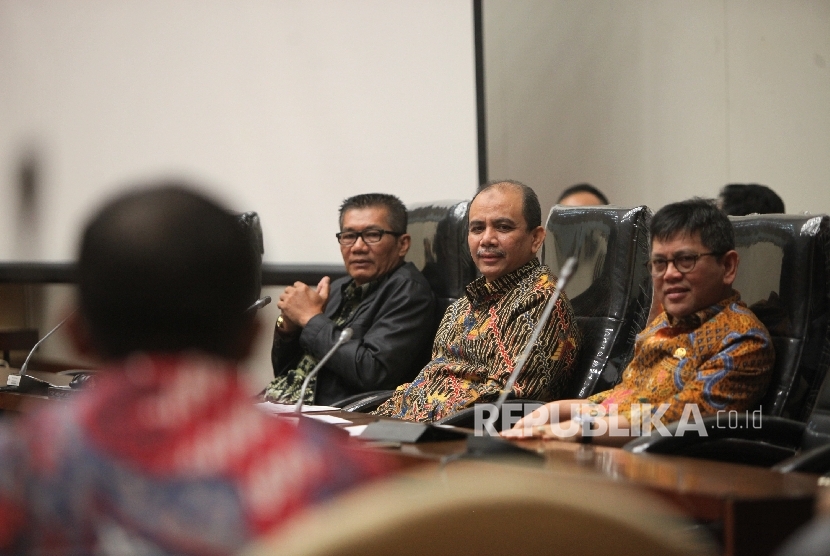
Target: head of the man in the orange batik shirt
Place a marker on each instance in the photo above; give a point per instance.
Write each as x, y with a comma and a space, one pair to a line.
693, 258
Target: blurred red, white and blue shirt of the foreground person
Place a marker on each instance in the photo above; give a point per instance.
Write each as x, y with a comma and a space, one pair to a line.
164, 455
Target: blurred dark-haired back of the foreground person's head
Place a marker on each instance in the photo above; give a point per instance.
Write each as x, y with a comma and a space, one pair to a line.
164, 269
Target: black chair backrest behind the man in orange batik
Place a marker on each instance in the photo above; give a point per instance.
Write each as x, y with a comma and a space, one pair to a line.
783, 277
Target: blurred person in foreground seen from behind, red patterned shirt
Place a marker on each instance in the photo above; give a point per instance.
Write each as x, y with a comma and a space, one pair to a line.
165, 454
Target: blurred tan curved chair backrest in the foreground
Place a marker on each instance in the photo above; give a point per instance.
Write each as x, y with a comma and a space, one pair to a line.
482, 508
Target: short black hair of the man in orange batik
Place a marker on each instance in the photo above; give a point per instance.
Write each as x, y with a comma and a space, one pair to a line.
695, 216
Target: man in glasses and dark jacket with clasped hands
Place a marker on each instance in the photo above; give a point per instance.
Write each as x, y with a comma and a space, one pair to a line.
387, 303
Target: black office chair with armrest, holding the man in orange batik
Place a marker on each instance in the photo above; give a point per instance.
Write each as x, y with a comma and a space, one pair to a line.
785, 278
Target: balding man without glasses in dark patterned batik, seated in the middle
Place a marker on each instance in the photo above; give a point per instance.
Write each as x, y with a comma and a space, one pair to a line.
483, 334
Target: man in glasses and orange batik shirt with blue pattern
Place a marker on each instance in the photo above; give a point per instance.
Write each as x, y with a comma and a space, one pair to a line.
706, 350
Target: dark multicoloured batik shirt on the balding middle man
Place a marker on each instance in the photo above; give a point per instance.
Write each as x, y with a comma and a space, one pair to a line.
479, 343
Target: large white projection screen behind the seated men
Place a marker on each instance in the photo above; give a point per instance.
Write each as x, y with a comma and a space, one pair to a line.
283, 106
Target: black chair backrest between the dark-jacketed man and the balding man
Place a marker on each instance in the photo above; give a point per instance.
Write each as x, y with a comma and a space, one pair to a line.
439, 248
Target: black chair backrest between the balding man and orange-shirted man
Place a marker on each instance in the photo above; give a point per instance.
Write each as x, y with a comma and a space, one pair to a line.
611, 289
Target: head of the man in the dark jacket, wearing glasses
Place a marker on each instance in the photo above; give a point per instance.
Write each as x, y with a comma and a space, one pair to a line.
373, 239
